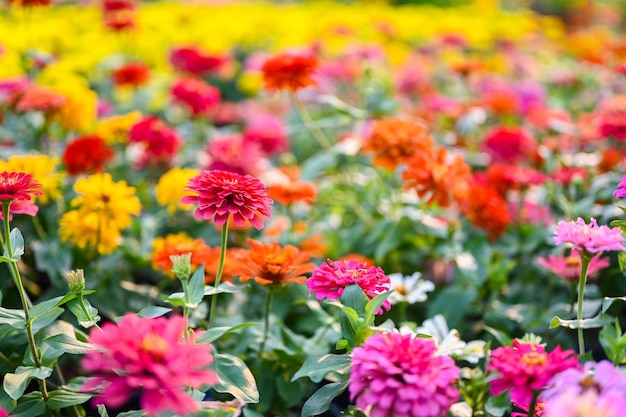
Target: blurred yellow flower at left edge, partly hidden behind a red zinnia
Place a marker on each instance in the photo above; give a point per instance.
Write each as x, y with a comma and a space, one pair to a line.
43, 168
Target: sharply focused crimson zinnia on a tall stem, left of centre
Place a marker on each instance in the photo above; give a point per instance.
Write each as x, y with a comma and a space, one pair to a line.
220, 194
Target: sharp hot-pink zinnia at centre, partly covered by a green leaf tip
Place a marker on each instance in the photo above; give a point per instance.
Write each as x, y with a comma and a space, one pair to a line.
330, 279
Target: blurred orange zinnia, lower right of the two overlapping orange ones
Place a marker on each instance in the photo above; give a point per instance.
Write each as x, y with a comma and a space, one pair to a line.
437, 177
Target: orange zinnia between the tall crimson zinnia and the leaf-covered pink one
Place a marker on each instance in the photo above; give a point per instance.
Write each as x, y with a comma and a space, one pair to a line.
270, 264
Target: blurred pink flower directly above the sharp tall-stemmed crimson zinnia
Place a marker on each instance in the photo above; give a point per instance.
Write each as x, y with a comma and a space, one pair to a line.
234, 154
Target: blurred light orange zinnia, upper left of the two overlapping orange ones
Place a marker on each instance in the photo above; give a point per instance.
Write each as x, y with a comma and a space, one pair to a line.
395, 141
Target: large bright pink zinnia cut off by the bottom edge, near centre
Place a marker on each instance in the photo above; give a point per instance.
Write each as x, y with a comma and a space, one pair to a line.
398, 375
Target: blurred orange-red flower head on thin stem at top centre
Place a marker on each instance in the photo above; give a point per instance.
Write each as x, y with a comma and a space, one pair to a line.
289, 71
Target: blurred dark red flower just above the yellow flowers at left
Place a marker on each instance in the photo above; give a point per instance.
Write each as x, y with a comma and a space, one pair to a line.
86, 155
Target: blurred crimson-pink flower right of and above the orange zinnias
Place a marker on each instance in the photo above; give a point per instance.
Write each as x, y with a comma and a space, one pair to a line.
509, 144
